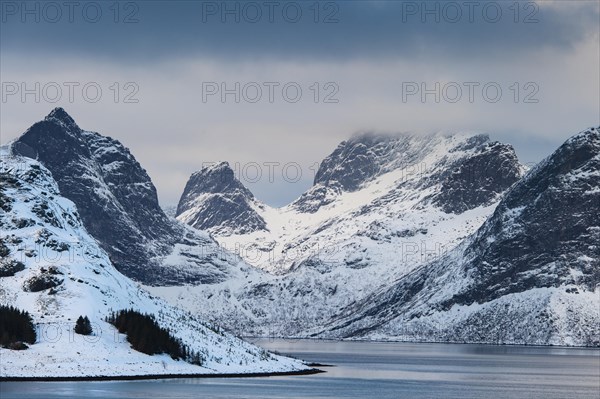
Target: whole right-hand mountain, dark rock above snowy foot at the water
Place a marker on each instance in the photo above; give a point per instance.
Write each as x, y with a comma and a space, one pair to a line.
530, 274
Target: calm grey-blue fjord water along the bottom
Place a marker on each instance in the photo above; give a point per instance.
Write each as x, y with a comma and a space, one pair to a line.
373, 370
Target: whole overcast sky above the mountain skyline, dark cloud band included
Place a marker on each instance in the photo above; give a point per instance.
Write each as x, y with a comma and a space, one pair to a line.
360, 65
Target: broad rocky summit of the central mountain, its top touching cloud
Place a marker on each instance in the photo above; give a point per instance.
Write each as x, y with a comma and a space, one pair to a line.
472, 169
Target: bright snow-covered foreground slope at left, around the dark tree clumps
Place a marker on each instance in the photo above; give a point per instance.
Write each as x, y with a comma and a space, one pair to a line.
63, 273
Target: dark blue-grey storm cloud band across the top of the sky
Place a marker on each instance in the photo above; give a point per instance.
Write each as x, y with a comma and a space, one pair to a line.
345, 29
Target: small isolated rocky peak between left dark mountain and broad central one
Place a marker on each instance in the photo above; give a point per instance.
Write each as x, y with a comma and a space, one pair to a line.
215, 200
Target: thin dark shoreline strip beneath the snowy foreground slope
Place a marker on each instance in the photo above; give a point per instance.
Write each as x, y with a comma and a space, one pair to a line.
162, 376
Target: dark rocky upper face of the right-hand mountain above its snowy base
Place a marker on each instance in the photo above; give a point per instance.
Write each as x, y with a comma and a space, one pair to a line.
546, 232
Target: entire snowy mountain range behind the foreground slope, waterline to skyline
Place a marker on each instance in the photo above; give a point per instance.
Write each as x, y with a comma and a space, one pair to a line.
414, 237
